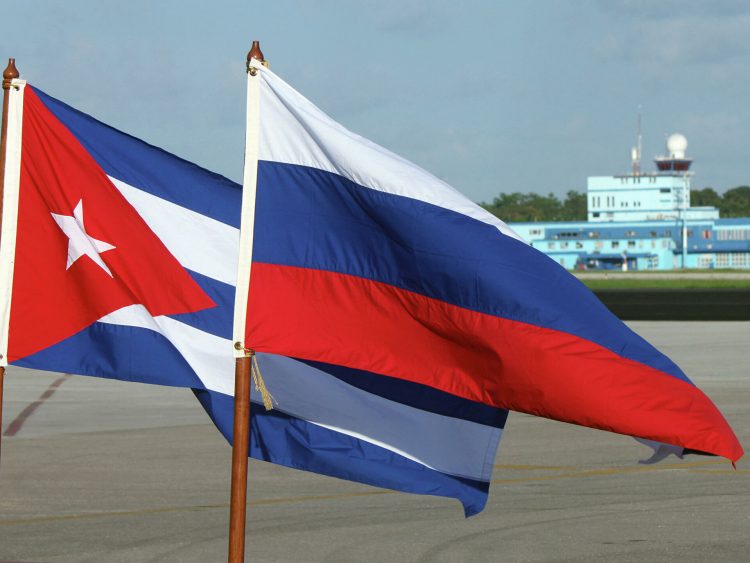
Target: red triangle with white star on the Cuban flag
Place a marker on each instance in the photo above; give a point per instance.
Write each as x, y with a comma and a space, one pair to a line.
82, 250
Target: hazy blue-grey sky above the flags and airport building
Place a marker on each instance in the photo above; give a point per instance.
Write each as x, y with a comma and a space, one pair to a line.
492, 96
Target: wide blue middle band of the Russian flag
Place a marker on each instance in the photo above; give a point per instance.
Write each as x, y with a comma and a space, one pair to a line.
315, 219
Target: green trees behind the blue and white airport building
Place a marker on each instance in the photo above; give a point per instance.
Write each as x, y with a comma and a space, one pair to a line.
518, 208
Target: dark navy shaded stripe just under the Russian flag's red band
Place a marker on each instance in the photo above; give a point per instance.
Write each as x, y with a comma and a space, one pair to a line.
416, 395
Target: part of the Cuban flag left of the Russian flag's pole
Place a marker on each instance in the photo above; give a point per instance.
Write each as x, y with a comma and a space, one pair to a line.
116, 257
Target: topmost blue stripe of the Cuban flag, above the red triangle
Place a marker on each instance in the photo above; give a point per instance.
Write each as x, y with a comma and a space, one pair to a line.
150, 168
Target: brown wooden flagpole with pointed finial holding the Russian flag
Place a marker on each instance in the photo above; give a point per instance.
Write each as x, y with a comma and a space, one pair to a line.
241, 441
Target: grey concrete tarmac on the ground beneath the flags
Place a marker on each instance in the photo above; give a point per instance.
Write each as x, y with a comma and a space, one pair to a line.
98, 470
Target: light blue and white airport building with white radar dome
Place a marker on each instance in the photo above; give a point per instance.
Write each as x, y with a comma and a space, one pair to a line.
644, 221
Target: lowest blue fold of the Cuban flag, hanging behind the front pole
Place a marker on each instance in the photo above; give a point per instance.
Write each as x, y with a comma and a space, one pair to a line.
293, 442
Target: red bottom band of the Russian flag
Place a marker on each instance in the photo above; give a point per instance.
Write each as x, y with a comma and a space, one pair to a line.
355, 322
